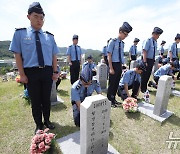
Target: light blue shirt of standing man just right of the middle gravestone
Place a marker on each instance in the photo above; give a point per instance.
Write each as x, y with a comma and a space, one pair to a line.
114, 50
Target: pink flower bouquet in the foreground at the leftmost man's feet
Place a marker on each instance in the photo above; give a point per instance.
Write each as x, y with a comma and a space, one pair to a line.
41, 142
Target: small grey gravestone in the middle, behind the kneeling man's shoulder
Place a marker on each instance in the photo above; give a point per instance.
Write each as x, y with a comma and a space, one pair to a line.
102, 75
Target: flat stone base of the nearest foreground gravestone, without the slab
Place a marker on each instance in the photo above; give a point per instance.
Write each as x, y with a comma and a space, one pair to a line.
71, 144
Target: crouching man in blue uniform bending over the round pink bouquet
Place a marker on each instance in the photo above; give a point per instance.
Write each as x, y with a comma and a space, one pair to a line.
131, 80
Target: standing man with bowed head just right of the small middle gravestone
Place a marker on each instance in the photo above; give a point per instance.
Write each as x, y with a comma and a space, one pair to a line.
115, 60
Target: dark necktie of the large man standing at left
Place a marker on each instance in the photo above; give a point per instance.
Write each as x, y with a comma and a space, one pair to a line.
39, 50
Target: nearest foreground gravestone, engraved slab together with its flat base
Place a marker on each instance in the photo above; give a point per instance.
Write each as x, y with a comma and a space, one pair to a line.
94, 129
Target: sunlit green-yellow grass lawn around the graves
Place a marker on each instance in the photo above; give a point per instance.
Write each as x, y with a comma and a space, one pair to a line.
129, 133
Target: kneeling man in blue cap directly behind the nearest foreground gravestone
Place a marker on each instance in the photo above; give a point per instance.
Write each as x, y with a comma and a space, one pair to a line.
80, 90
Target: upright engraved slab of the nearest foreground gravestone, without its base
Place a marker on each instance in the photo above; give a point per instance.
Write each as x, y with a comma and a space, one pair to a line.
94, 125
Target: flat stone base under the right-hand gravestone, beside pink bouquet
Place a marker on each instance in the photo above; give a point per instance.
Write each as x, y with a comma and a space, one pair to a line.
148, 109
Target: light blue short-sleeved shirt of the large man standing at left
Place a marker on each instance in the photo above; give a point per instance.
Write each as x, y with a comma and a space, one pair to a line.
24, 42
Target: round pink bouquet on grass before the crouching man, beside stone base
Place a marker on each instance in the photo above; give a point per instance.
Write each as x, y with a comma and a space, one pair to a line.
130, 104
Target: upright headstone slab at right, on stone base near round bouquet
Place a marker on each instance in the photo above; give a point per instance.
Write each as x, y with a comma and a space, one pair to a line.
162, 95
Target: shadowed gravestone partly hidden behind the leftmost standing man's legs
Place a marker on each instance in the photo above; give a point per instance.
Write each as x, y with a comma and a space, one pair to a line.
54, 98
